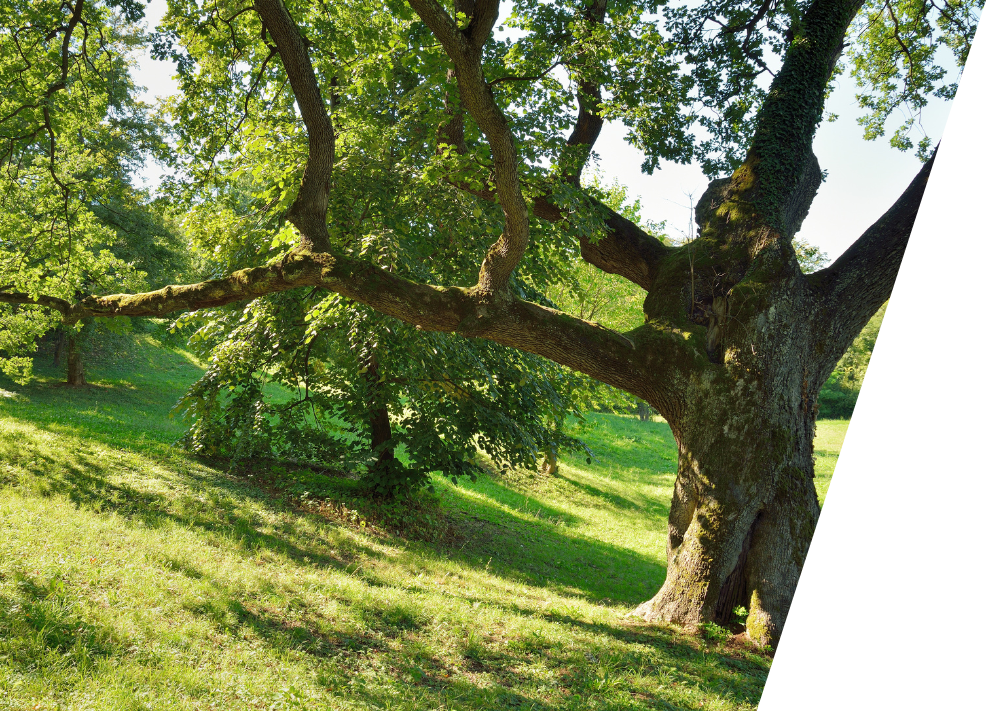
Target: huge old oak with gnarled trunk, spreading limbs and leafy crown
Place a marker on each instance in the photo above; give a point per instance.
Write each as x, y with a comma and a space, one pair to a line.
736, 341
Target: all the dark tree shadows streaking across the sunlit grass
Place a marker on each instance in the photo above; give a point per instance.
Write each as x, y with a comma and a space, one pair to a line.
503, 542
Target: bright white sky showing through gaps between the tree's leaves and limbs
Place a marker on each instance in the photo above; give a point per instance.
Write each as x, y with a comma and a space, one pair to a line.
864, 177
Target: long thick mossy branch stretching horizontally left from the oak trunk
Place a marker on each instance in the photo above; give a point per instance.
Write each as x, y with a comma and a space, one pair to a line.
587, 347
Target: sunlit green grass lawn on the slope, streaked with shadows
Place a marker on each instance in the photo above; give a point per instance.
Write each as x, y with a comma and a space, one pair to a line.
135, 576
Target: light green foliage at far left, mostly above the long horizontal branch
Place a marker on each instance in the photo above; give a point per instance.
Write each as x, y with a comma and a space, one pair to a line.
70, 221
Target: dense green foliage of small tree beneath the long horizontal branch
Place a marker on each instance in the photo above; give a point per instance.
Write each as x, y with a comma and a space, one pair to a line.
300, 378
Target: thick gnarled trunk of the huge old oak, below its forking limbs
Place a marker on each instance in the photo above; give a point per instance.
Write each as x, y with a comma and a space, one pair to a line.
744, 508
